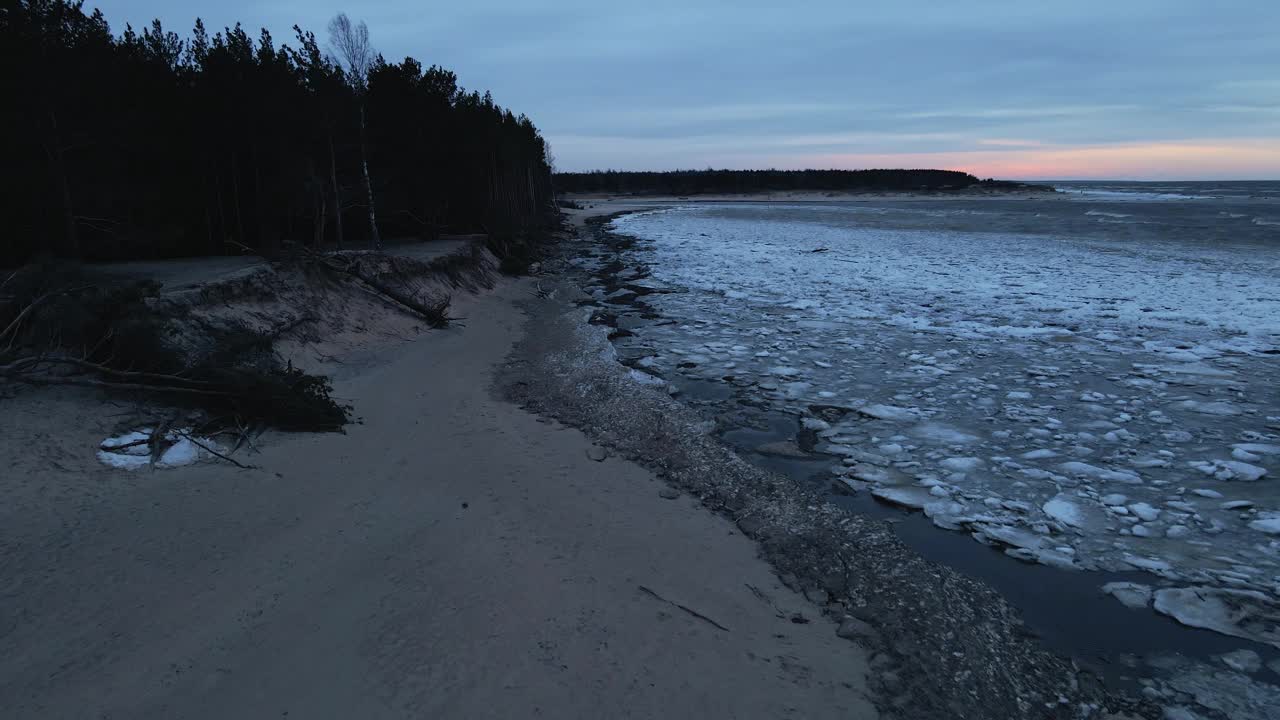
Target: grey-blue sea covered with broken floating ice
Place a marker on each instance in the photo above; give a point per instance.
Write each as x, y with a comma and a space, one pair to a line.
1085, 385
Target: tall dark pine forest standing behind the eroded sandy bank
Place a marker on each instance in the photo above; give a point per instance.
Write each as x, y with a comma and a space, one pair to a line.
152, 145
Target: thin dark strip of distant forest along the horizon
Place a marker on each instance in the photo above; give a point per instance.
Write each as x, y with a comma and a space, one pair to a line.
693, 183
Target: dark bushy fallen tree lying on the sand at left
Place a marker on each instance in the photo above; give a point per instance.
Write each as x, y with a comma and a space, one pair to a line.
63, 331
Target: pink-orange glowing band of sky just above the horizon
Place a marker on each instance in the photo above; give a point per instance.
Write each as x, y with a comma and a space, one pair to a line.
1228, 160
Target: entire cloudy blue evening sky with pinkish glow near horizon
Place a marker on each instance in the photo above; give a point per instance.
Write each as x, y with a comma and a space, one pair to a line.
1008, 89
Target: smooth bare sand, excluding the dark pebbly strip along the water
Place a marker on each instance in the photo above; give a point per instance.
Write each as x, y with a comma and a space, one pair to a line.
450, 558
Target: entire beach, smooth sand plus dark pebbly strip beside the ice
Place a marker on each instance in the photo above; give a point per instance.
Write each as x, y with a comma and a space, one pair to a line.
514, 526
